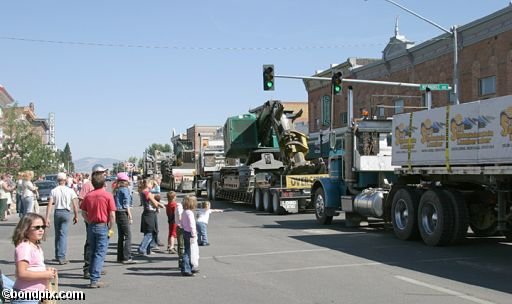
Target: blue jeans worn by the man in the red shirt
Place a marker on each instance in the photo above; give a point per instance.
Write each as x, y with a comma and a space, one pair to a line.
98, 241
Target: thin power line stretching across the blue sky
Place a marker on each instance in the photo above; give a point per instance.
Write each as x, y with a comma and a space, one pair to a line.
191, 48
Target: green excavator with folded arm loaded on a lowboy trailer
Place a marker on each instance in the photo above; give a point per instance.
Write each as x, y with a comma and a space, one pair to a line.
265, 161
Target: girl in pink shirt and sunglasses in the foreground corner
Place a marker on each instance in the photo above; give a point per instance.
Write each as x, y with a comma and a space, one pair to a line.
31, 272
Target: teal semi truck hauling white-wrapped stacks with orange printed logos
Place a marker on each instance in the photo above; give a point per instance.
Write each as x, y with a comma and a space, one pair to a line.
430, 173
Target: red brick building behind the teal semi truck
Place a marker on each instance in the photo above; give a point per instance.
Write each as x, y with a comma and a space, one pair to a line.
485, 71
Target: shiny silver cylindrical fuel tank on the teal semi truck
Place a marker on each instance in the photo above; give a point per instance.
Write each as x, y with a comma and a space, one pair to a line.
370, 202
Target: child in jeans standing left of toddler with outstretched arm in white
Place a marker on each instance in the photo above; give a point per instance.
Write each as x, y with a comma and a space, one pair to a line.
188, 223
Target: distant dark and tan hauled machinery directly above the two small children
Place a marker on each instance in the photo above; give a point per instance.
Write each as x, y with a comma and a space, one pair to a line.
178, 171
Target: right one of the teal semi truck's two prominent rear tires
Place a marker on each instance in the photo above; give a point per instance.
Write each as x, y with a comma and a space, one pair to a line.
435, 218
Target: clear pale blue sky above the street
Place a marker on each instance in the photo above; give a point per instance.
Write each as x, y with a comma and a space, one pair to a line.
120, 75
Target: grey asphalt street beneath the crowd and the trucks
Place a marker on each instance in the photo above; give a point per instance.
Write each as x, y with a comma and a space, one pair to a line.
260, 258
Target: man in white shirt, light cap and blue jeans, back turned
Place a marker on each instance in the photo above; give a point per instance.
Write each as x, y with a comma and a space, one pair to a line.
64, 199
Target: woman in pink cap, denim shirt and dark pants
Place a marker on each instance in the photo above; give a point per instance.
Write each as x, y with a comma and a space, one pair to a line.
124, 219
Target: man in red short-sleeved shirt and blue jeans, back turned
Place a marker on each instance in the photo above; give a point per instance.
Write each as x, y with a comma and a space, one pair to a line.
98, 210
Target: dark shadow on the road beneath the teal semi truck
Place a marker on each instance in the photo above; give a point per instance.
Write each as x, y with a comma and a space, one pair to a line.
483, 262
